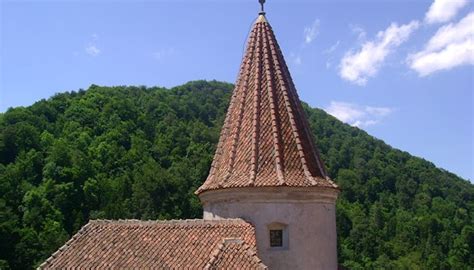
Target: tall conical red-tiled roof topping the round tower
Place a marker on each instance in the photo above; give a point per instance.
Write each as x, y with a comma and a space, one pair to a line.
266, 140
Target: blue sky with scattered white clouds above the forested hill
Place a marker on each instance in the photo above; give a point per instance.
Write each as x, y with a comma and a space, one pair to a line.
401, 70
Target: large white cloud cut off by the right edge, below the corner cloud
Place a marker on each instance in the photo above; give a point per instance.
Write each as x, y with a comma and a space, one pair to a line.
452, 45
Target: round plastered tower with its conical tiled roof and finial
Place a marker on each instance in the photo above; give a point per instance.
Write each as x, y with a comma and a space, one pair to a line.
266, 168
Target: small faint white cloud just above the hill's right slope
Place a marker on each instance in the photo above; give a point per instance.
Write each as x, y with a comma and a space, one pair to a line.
357, 116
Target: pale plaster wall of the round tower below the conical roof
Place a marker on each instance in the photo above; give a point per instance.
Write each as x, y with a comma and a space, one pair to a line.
310, 225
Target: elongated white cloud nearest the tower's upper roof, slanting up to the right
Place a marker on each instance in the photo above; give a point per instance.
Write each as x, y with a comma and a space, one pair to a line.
358, 66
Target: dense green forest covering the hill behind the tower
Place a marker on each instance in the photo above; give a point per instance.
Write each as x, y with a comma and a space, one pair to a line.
137, 152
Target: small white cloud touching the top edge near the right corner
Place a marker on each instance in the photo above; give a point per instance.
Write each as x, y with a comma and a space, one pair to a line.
444, 10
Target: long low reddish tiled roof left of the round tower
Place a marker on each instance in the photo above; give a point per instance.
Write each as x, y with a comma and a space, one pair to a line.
179, 244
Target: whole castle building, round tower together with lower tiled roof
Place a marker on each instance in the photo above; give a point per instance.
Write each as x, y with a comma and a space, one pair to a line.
268, 201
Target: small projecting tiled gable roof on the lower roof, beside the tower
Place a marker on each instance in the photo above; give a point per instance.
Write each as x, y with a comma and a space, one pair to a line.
232, 252
